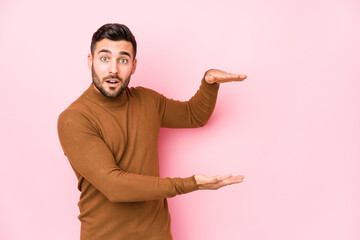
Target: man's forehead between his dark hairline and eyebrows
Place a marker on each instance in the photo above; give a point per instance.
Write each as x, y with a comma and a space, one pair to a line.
114, 47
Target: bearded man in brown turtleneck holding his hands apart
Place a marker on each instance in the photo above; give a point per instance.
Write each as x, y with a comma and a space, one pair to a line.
110, 136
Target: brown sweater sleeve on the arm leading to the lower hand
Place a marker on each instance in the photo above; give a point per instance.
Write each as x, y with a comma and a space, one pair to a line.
92, 159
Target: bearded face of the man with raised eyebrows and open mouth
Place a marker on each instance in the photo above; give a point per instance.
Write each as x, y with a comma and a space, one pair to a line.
111, 66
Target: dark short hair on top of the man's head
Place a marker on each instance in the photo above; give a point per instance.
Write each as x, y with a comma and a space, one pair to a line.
115, 32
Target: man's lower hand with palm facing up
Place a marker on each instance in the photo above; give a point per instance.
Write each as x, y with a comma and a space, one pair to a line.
216, 182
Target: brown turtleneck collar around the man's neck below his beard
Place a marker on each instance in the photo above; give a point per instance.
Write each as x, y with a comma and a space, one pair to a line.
95, 96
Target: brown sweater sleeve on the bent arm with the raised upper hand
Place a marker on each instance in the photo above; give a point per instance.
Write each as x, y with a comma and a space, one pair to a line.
192, 113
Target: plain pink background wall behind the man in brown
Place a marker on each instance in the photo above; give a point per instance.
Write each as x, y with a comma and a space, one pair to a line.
292, 128
